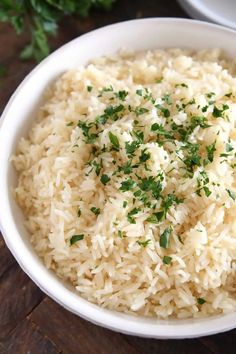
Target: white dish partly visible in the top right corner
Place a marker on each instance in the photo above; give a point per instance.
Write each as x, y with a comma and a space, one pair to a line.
222, 12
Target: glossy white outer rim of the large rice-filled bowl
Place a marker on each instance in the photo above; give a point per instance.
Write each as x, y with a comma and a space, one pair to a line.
161, 329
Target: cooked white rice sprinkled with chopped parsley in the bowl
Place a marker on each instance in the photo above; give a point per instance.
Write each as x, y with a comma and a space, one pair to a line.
118, 262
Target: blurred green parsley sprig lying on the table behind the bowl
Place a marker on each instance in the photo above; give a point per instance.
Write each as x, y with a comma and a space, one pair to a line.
41, 18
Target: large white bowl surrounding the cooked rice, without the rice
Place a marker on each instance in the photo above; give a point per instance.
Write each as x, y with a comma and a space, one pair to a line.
21, 110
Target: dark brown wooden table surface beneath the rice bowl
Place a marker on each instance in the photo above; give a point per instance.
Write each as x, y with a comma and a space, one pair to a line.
30, 322
